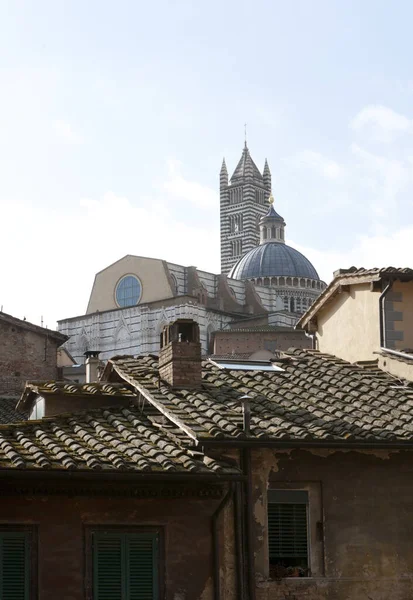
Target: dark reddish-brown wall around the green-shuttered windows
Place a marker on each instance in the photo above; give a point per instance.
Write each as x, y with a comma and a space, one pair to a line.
61, 521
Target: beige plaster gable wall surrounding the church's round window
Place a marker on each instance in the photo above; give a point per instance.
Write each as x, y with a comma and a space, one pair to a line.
150, 271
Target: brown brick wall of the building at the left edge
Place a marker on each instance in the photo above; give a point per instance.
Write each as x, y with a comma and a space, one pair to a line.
24, 355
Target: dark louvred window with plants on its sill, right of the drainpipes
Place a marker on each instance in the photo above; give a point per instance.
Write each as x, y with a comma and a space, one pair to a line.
288, 533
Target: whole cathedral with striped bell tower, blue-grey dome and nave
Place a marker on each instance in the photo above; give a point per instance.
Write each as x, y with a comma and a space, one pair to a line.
262, 278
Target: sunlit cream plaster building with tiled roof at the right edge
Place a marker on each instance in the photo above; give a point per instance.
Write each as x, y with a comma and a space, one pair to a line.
366, 314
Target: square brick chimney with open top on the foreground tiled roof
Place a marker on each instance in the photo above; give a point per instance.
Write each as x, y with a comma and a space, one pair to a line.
180, 363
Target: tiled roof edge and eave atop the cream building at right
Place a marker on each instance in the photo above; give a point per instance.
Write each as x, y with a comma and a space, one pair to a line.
353, 275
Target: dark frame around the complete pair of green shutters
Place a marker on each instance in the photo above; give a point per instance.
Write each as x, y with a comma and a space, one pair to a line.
90, 529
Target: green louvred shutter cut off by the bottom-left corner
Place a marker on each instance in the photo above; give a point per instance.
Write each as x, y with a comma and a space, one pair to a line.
14, 566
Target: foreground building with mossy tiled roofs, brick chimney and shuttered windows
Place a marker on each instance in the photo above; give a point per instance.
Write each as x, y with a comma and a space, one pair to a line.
204, 481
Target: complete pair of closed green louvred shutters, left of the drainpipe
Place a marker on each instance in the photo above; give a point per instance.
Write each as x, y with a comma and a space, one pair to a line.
125, 565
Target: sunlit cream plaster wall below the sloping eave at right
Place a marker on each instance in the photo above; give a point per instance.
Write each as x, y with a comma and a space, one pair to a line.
349, 327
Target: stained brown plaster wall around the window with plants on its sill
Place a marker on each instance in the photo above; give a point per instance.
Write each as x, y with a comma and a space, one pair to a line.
364, 500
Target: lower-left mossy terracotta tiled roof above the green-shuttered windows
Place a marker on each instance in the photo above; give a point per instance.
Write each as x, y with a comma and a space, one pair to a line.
111, 440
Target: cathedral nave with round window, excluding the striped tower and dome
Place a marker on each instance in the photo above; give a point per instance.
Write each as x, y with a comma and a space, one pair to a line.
134, 298
